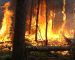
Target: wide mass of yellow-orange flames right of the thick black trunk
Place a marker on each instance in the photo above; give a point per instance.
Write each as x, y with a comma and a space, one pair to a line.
54, 38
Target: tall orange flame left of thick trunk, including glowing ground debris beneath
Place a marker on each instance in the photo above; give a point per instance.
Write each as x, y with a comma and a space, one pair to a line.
6, 33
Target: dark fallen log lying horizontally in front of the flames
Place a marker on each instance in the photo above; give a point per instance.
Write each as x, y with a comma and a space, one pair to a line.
49, 48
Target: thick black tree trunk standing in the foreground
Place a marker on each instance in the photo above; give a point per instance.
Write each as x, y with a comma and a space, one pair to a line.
19, 31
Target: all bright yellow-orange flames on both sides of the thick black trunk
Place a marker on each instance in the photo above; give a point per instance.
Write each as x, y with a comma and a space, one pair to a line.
54, 37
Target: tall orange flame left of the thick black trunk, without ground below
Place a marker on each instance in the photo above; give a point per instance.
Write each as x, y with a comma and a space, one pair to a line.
6, 23
